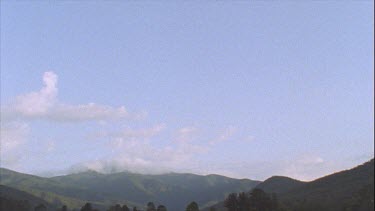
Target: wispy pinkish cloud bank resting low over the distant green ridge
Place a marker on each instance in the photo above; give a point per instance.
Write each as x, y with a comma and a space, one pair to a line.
136, 151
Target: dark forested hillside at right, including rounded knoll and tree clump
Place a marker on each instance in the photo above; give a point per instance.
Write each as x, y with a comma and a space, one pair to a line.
349, 190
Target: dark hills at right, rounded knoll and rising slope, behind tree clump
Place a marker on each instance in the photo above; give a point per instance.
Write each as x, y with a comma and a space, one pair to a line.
349, 190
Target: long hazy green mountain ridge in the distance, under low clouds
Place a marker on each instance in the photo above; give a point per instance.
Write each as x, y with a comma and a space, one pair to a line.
173, 190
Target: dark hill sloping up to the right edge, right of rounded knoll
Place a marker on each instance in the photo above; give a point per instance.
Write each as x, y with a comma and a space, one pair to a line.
346, 190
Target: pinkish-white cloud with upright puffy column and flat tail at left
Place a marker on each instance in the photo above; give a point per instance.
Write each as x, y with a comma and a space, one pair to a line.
45, 105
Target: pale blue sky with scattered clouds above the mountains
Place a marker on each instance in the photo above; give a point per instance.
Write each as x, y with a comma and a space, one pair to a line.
243, 89
